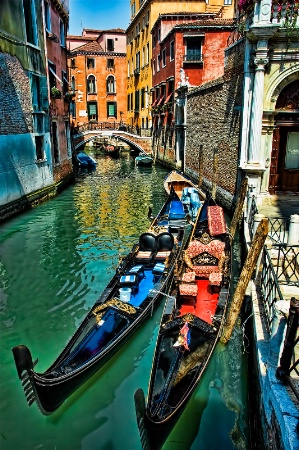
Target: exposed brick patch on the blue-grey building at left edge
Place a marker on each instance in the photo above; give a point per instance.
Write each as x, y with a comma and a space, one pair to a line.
15, 97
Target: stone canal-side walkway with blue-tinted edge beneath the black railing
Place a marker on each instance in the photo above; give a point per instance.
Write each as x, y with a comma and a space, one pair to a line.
278, 404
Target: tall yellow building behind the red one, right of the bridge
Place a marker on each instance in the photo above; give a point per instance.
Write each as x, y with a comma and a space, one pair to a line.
144, 14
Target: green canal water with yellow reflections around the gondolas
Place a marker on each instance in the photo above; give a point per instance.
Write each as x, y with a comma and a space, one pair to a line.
54, 262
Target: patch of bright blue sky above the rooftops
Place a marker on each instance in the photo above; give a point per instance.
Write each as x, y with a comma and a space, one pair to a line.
98, 15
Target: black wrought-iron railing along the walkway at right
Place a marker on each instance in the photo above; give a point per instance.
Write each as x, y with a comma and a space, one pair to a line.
279, 266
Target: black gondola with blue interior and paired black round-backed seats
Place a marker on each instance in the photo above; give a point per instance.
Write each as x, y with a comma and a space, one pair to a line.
128, 300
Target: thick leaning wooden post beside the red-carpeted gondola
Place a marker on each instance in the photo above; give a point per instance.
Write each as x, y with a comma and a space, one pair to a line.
246, 273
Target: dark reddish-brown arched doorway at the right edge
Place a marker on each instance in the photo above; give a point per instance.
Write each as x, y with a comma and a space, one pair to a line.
284, 168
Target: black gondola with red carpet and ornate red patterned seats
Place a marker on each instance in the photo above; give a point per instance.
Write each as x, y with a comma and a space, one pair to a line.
190, 327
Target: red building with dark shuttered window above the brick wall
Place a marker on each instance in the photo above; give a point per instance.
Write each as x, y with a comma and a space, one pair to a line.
191, 49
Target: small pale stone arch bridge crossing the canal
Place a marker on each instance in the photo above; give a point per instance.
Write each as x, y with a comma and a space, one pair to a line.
142, 144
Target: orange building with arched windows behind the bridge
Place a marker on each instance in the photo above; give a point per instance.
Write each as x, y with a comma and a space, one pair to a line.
97, 66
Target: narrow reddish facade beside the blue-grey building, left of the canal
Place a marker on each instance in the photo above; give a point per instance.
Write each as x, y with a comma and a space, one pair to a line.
56, 23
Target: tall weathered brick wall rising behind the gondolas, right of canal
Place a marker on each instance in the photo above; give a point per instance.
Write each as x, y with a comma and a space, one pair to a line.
213, 121
